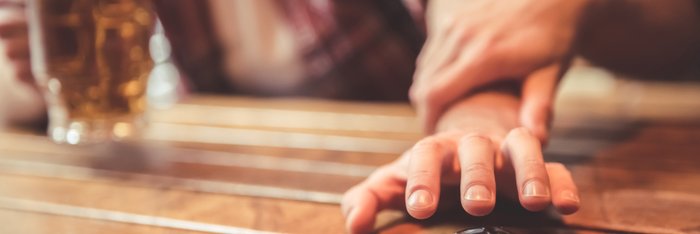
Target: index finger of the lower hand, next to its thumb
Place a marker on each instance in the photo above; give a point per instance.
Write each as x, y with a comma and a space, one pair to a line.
423, 180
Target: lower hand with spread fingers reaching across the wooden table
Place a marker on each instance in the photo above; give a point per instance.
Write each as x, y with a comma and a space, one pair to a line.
481, 149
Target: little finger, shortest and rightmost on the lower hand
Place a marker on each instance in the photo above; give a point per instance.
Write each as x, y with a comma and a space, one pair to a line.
564, 192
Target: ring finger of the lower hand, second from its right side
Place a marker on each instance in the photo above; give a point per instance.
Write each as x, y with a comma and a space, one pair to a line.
524, 151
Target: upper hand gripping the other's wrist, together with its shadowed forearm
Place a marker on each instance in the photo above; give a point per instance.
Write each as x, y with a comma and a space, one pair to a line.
474, 43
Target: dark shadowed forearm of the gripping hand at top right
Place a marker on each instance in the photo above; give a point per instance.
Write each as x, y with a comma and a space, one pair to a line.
643, 38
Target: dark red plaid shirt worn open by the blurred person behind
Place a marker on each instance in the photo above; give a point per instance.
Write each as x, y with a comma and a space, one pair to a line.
362, 49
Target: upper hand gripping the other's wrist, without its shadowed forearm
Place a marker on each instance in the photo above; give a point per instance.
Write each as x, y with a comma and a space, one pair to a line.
474, 43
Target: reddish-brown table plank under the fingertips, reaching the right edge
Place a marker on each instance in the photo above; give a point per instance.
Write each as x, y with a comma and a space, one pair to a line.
613, 200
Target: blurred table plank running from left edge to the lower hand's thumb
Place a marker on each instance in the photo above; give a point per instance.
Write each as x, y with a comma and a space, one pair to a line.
174, 164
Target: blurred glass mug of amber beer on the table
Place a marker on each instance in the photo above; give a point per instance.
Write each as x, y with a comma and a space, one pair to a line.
91, 60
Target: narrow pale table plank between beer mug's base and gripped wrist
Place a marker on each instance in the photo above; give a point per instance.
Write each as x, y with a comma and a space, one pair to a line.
260, 118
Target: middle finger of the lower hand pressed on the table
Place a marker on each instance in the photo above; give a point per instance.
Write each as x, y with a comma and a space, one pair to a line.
478, 185
